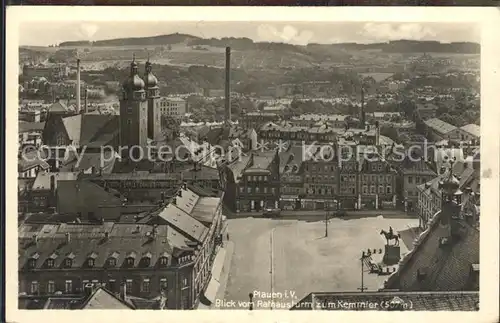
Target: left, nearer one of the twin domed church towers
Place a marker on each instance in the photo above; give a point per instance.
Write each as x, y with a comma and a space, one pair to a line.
133, 116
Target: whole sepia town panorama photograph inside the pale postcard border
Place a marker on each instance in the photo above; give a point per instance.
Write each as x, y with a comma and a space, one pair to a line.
249, 166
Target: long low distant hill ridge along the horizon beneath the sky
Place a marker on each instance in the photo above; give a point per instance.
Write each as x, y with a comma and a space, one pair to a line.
242, 43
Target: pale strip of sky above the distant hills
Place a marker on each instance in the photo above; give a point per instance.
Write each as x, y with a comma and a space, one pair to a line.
297, 33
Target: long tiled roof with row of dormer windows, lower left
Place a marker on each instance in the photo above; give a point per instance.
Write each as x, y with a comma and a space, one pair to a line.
86, 239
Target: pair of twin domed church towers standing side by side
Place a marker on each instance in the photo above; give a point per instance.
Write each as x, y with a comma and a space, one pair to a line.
140, 114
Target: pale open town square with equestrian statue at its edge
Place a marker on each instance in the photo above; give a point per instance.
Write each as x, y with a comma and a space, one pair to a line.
280, 261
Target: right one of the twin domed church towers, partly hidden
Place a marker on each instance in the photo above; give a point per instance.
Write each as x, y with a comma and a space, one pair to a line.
153, 98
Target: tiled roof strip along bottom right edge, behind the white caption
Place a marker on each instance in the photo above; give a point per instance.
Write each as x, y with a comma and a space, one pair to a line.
419, 301
